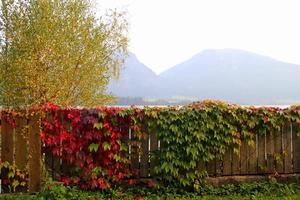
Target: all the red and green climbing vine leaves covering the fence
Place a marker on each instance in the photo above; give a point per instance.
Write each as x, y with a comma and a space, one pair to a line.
94, 143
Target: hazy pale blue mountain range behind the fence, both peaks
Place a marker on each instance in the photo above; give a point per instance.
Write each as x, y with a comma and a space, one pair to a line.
233, 75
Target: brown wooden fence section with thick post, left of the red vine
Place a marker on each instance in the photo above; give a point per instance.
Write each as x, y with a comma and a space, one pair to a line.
22, 146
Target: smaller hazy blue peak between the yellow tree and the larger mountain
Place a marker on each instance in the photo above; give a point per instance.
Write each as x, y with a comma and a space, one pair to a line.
136, 80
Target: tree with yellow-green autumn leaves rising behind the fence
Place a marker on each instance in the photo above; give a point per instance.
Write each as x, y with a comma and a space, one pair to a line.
58, 51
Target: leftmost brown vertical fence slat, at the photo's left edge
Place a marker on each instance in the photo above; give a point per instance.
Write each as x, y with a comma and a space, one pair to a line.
7, 140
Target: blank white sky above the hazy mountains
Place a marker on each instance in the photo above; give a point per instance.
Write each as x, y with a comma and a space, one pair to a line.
164, 33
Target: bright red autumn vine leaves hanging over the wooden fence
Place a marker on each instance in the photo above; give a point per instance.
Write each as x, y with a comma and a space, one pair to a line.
90, 144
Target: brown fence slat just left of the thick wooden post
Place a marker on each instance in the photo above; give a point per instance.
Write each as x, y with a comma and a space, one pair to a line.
21, 136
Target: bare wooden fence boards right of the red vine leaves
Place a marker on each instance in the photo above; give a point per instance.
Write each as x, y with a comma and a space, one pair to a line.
270, 154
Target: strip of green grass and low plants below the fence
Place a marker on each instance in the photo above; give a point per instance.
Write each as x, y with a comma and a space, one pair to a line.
261, 190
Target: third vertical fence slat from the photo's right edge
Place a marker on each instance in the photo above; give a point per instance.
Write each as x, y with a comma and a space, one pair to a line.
278, 151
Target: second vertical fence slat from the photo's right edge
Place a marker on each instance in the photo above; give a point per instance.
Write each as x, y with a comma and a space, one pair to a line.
287, 148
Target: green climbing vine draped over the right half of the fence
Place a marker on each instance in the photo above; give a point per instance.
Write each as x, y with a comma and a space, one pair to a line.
198, 133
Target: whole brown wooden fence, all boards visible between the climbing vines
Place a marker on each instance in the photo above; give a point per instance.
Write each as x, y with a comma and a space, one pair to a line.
271, 153
